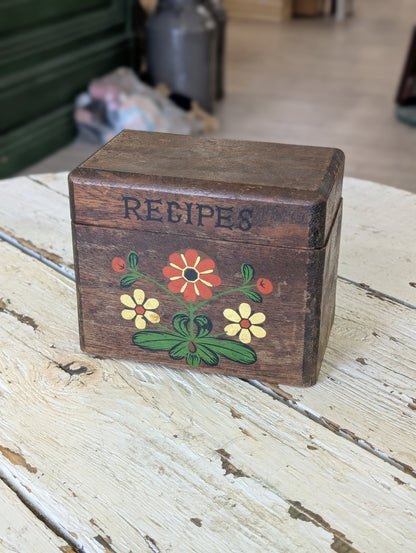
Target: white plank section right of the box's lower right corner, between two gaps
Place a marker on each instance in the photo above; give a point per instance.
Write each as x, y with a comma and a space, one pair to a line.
366, 387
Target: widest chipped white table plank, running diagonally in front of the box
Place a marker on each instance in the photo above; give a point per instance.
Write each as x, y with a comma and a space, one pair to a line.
131, 457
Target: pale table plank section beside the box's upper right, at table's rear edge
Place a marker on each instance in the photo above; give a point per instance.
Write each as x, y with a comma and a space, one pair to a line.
378, 238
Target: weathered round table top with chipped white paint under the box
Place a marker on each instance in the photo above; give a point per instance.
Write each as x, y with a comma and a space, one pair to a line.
107, 456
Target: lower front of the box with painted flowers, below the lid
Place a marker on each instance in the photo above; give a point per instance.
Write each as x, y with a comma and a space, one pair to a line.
193, 303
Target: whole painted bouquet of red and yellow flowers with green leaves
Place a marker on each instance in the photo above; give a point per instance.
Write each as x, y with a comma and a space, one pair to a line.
191, 336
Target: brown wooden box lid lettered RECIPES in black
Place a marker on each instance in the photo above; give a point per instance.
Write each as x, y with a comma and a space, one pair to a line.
241, 191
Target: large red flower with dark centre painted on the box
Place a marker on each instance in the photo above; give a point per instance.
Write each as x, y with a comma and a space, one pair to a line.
191, 276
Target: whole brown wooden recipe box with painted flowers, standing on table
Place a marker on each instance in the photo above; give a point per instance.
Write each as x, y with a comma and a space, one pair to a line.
208, 254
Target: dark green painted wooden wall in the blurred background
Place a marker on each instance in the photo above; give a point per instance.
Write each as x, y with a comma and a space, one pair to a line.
49, 51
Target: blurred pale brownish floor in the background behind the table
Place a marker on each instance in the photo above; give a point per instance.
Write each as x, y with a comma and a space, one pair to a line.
314, 82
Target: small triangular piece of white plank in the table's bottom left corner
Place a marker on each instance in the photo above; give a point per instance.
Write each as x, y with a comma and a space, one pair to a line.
21, 530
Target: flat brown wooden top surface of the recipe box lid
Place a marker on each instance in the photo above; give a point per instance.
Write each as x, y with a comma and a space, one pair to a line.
284, 167
